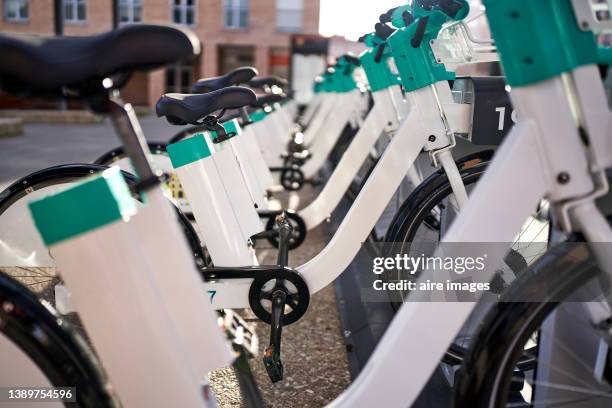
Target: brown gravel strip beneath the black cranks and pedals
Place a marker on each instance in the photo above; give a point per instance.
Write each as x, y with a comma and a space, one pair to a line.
313, 350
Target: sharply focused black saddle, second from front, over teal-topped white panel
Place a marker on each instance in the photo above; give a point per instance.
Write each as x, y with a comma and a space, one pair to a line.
180, 109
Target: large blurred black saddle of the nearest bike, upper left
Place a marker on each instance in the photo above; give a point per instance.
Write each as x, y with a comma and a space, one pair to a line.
43, 65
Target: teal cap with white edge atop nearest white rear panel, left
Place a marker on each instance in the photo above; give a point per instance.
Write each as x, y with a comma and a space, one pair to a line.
89, 205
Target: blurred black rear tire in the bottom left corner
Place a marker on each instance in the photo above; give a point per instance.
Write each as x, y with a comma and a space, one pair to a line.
53, 347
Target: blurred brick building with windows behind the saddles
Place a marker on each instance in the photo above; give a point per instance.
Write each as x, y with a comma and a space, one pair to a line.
233, 33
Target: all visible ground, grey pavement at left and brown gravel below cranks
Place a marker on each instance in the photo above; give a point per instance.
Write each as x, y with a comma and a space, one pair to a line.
316, 368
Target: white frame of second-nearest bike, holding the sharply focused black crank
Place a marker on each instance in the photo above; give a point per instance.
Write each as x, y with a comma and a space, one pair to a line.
411, 138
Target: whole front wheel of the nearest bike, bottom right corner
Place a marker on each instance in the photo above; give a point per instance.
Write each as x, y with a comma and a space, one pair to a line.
554, 289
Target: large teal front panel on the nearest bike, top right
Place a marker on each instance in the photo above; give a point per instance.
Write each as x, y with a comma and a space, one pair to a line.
538, 40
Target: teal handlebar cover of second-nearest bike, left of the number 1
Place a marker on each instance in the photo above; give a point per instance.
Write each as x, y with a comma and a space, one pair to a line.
417, 66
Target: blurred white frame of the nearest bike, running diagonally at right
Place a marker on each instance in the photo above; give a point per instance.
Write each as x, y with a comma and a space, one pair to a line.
530, 152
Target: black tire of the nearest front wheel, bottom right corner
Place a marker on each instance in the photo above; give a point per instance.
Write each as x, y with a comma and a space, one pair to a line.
486, 377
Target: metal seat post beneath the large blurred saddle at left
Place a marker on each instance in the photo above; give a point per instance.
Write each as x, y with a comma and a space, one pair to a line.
127, 127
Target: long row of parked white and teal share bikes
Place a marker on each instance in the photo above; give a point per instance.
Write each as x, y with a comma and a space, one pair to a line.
149, 241
